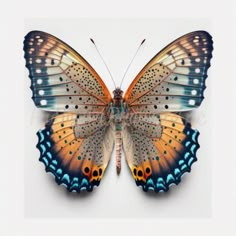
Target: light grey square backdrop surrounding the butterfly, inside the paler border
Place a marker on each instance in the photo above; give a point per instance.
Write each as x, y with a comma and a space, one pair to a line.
117, 196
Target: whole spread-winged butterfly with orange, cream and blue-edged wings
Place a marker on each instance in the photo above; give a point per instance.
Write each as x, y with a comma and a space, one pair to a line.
76, 143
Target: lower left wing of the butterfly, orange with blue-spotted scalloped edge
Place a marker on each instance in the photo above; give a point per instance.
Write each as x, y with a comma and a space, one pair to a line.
76, 149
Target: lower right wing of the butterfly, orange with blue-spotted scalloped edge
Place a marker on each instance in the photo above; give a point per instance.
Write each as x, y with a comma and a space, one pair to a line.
159, 159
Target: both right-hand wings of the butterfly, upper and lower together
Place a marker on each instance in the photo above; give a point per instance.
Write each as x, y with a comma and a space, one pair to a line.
161, 146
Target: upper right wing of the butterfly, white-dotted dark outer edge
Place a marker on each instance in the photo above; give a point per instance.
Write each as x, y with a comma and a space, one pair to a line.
174, 79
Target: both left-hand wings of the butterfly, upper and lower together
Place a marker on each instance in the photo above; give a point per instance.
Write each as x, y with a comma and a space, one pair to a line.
75, 146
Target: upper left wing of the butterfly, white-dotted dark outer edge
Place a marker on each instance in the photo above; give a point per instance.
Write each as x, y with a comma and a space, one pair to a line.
61, 79
